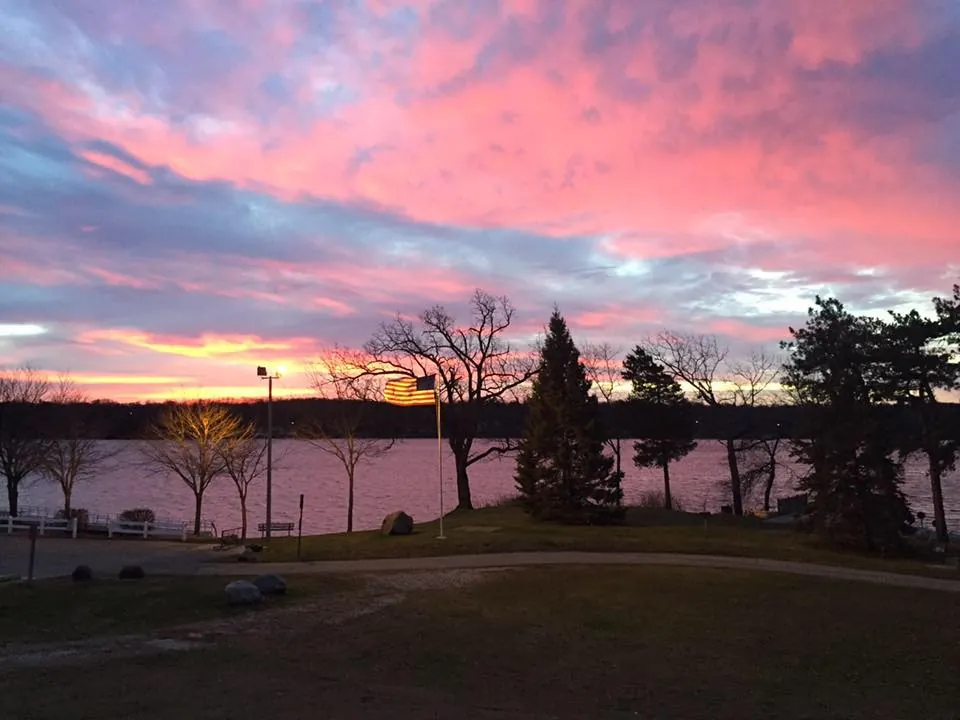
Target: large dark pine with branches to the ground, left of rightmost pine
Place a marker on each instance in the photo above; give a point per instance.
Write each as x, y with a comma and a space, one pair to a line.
855, 481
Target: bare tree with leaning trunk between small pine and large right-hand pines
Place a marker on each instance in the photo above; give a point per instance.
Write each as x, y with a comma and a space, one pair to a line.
702, 363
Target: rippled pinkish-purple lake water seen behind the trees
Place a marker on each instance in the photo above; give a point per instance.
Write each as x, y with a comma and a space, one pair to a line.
403, 479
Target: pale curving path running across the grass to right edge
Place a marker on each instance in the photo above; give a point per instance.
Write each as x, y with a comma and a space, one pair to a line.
526, 559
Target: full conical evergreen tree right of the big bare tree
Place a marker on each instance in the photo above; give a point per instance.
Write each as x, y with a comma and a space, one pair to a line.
562, 472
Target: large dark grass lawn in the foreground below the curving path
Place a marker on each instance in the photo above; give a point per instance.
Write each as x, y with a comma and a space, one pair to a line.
557, 643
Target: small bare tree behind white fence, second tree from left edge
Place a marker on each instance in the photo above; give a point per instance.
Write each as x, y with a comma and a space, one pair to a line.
74, 453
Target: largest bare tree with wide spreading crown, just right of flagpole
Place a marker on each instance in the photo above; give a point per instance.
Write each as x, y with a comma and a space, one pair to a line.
475, 366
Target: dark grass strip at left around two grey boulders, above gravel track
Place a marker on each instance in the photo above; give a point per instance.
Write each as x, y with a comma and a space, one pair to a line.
55, 610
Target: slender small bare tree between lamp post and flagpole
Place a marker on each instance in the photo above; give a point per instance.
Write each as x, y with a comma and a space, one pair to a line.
340, 434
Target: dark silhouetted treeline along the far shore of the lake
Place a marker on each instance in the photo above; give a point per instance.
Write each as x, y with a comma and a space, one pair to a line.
626, 419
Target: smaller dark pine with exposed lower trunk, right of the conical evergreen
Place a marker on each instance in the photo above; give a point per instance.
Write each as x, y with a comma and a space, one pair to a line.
672, 438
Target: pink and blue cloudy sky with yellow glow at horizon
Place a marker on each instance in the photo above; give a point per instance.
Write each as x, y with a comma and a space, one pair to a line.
192, 188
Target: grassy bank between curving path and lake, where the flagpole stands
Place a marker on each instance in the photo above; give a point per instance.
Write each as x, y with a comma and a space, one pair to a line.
508, 529
